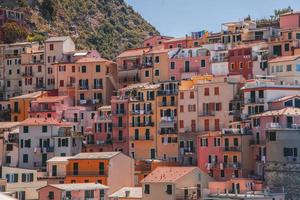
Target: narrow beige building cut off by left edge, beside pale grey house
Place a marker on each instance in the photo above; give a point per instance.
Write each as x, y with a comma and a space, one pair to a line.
9, 144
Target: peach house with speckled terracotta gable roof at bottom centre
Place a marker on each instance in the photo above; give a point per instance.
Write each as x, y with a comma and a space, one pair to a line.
170, 183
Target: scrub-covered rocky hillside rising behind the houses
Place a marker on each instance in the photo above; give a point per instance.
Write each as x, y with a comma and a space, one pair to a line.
110, 26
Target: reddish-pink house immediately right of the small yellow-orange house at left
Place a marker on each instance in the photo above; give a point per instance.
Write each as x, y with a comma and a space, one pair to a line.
50, 106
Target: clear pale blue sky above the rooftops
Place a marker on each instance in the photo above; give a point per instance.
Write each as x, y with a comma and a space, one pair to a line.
179, 17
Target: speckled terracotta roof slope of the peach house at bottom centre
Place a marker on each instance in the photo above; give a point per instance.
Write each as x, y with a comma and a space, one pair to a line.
168, 174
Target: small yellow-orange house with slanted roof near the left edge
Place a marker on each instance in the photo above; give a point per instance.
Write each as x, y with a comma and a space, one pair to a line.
20, 105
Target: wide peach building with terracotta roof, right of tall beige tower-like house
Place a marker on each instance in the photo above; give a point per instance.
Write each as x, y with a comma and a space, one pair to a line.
90, 80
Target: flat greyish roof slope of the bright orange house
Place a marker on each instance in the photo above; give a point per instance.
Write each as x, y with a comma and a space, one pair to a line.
95, 155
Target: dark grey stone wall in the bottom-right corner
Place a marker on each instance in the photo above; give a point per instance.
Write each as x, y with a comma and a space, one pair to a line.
279, 174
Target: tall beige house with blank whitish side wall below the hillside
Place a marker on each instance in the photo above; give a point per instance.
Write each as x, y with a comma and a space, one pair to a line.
54, 48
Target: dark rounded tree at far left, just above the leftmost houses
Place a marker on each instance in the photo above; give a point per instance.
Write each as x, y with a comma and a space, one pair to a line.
14, 32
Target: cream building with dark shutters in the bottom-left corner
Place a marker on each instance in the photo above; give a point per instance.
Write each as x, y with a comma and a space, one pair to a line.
22, 183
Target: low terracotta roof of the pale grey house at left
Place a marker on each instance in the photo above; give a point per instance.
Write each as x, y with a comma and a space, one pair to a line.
43, 121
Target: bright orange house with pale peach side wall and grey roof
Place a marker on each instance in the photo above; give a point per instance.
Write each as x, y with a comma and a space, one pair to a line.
101, 167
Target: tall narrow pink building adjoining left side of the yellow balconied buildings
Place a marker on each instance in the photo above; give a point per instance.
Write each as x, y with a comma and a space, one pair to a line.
120, 123
